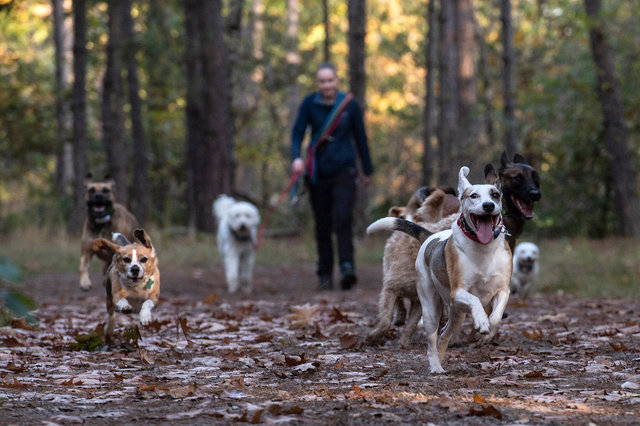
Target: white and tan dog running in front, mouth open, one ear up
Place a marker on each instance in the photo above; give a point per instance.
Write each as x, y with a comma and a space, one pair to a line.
465, 269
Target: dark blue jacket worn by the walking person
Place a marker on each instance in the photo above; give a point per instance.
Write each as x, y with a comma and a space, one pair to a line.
337, 152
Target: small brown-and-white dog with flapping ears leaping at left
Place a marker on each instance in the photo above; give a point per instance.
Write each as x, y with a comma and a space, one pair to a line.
132, 281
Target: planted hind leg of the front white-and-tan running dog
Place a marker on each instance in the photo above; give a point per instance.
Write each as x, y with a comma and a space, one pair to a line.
431, 310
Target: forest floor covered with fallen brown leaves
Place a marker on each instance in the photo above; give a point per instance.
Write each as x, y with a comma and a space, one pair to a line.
287, 353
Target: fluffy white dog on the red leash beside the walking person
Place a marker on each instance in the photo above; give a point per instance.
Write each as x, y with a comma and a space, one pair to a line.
238, 223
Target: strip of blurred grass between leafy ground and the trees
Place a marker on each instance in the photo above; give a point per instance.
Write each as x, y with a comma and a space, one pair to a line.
606, 268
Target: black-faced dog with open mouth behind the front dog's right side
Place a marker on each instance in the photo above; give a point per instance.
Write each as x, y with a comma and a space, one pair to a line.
520, 185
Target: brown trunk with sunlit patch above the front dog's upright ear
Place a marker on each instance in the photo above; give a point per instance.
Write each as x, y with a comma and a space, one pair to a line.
466, 80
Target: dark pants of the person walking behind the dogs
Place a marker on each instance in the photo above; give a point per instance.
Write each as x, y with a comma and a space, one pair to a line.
332, 202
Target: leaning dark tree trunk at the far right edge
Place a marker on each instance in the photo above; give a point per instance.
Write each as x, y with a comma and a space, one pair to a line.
622, 176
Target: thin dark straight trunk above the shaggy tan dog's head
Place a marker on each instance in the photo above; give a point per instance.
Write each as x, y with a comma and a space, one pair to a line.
429, 104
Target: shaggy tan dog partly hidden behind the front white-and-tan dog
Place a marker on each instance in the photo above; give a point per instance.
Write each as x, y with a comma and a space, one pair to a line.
436, 212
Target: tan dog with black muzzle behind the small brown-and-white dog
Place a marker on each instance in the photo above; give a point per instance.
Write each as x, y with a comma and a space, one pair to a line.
104, 217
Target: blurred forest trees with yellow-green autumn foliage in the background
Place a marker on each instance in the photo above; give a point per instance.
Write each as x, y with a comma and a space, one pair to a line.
183, 100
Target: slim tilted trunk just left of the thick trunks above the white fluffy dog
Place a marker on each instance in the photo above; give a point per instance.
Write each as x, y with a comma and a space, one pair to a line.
140, 201
